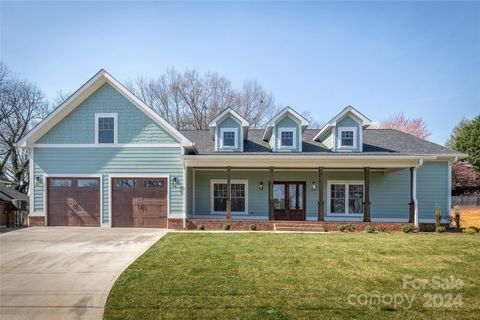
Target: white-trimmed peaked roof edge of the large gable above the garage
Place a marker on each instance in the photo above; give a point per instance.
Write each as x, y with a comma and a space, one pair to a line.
83, 93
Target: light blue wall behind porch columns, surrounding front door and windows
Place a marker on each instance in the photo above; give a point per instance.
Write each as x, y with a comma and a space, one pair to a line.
389, 192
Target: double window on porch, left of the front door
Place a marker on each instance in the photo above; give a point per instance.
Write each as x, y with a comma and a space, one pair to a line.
220, 196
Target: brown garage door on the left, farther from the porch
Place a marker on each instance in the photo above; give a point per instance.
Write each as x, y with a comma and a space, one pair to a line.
73, 202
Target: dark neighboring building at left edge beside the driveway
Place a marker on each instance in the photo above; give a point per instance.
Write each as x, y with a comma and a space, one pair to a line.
12, 204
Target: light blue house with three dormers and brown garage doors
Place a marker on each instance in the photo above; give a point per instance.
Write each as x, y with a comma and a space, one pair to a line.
103, 158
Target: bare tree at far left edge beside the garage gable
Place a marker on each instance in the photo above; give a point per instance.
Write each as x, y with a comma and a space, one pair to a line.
22, 105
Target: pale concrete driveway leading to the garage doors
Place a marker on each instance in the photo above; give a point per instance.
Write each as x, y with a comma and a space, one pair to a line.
65, 272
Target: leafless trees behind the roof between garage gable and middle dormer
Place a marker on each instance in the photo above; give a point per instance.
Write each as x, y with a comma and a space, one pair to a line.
190, 100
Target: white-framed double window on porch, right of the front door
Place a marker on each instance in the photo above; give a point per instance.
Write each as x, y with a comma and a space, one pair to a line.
346, 198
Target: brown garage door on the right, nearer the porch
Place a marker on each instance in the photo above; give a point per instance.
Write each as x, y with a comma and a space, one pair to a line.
139, 202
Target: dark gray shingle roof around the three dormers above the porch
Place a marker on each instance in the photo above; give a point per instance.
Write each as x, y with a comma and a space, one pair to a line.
375, 141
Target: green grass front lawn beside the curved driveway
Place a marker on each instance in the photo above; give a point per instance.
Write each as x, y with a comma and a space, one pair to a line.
294, 276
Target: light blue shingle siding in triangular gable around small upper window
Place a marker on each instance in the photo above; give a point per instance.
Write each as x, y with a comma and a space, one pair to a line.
134, 126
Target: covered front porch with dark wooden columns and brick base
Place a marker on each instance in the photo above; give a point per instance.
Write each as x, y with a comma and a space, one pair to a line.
322, 196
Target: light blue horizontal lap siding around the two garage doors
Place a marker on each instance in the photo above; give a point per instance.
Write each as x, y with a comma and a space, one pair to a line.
129, 161
